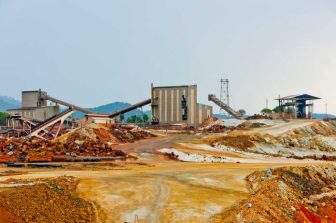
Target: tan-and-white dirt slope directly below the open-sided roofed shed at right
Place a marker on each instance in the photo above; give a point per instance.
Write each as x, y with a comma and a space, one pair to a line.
313, 141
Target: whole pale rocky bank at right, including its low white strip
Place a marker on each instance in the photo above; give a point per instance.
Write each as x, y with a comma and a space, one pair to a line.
261, 141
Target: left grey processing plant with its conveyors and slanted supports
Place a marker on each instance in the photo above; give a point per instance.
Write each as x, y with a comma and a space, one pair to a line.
37, 118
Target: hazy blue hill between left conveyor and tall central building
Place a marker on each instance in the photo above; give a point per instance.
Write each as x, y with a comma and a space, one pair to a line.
110, 108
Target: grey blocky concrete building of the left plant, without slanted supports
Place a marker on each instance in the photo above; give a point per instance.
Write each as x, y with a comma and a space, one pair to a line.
34, 107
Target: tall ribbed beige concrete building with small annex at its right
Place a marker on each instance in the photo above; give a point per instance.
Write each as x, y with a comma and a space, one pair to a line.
178, 105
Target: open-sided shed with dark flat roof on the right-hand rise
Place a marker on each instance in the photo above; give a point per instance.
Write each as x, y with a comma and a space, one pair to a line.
297, 106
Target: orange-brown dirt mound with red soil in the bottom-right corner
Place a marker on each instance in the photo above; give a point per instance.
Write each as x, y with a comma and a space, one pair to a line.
293, 194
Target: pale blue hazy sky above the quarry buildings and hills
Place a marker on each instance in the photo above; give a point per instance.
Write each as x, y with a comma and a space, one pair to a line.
96, 52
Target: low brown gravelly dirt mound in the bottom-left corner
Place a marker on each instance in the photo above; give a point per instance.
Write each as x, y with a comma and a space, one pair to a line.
47, 201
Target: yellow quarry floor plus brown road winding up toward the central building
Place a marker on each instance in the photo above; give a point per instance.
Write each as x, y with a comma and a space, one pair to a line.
155, 189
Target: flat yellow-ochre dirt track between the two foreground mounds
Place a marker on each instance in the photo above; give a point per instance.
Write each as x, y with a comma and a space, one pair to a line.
175, 192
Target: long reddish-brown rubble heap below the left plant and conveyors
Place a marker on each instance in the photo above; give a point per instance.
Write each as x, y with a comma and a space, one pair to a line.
93, 140
